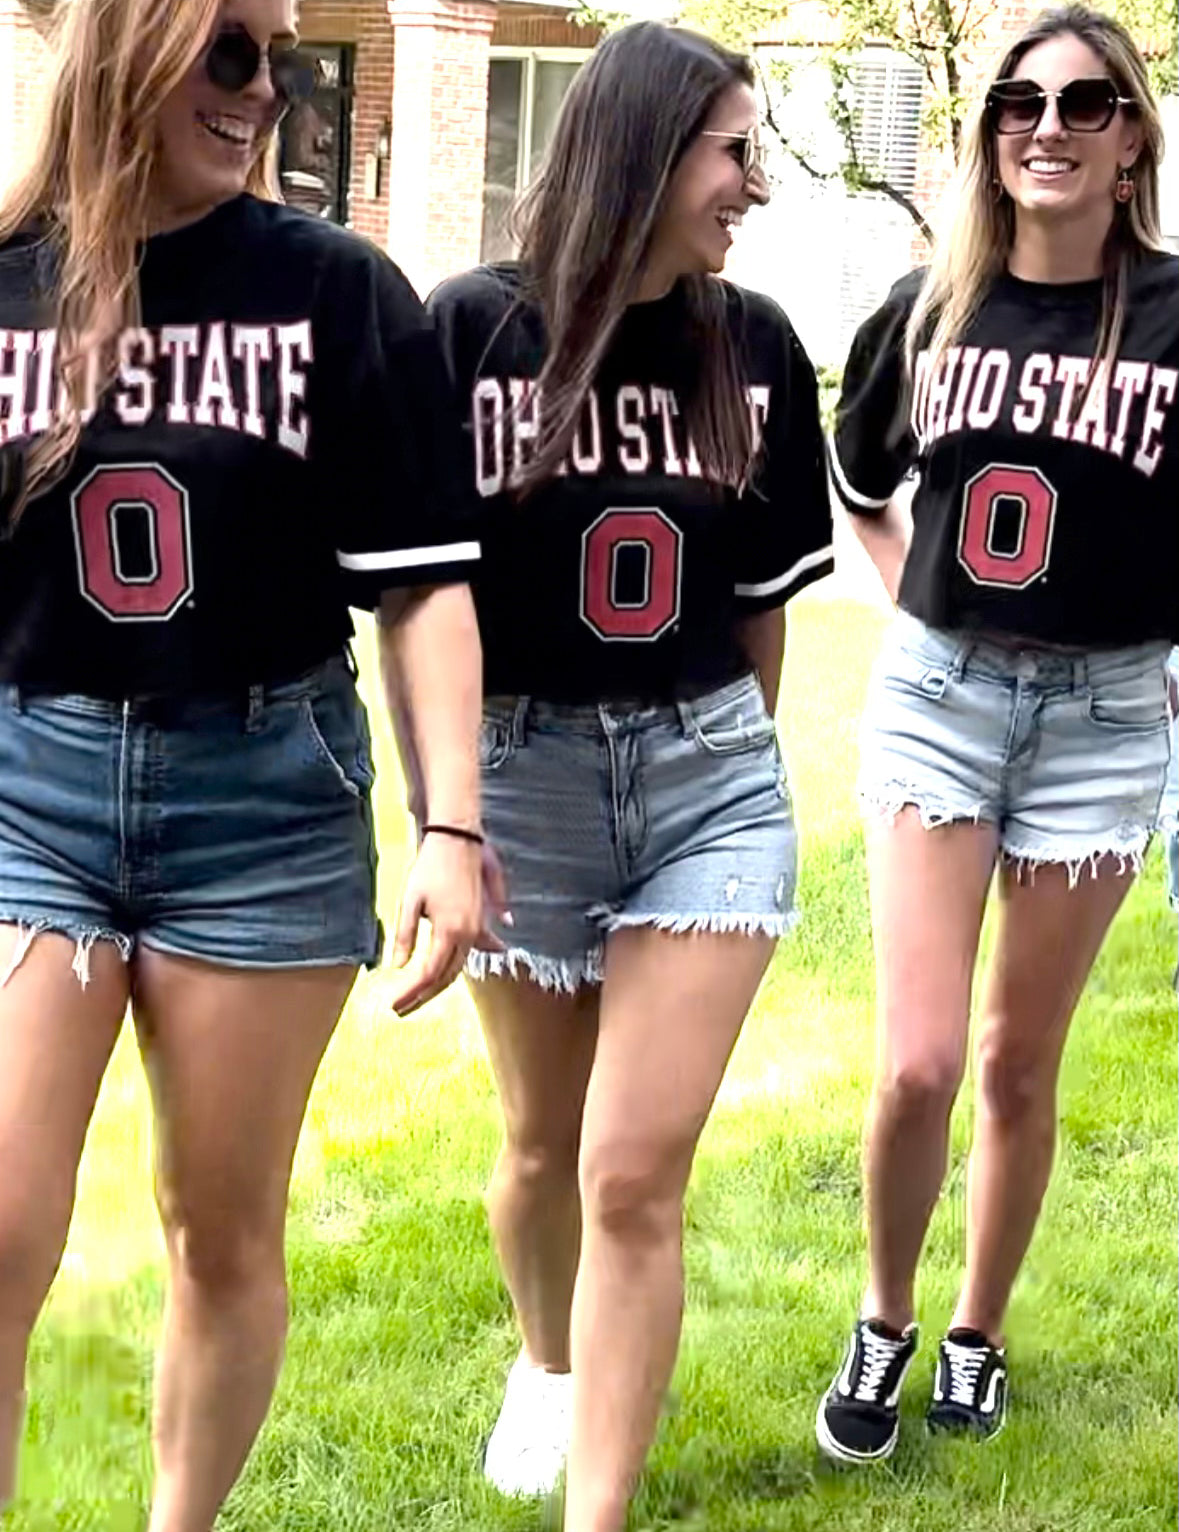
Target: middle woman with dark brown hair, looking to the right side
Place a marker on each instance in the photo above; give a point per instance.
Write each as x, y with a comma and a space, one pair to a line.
647, 447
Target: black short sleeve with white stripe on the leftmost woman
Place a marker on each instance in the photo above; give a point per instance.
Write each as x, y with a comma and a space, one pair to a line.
388, 439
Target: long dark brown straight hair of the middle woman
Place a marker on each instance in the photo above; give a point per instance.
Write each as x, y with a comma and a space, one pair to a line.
587, 223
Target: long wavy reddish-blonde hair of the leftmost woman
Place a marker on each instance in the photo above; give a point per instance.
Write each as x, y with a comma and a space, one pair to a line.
90, 182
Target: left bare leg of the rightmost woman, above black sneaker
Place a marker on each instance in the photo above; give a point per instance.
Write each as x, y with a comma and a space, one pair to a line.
929, 889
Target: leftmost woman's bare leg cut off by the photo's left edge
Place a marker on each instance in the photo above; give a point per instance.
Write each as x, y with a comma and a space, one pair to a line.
56, 1043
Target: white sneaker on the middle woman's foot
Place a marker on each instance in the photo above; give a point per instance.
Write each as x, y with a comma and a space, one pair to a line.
526, 1452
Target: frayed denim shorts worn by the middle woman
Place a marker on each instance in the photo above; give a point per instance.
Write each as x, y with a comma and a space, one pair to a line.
676, 817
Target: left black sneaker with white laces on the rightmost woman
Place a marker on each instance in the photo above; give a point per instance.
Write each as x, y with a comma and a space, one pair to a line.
858, 1418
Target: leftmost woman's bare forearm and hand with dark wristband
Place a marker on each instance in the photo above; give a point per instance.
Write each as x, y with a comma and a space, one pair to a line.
433, 663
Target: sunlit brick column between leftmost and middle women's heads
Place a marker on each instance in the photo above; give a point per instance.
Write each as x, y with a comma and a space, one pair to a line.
439, 136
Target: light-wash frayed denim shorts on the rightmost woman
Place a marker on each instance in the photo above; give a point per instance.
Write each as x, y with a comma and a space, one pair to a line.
1065, 753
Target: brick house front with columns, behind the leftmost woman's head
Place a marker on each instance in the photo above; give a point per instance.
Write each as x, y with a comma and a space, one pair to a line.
426, 111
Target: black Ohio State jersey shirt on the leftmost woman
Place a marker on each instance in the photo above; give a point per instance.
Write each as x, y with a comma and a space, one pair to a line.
279, 444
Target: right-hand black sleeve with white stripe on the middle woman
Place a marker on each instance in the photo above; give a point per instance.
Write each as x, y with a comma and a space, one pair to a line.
786, 512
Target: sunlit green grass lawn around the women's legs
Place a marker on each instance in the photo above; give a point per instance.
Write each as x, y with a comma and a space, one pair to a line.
402, 1331
